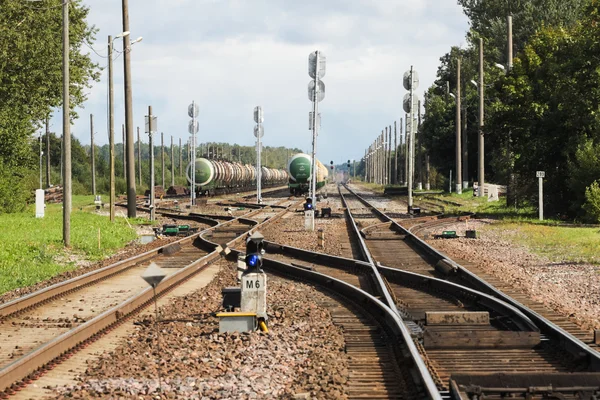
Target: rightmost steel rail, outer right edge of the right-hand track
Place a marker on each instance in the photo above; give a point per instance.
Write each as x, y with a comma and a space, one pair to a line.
570, 342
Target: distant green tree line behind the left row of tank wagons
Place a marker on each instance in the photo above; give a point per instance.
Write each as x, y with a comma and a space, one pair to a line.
273, 157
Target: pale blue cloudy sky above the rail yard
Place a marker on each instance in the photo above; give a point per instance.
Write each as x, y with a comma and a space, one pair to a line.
232, 55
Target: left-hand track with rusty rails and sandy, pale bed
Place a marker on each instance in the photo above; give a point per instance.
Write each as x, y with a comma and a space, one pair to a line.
103, 300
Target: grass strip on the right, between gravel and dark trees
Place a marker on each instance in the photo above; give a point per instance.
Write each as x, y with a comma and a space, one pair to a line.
560, 241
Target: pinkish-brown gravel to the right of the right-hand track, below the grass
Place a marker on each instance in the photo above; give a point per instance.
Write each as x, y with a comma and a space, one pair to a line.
569, 288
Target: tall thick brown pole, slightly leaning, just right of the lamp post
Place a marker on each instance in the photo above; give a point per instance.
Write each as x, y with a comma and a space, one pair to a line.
131, 194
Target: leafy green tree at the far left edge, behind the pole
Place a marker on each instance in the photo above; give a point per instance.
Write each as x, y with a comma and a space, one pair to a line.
31, 82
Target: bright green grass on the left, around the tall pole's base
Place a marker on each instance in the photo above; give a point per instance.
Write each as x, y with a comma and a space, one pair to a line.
31, 248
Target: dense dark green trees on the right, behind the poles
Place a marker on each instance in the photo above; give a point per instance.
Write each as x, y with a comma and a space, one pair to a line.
541, 114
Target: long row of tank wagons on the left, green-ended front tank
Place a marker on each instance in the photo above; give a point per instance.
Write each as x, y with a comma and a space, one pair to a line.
214, 176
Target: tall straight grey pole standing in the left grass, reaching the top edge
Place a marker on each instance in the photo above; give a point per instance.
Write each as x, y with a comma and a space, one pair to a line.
67, 188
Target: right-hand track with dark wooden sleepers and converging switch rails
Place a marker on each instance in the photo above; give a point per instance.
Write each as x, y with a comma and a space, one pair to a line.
518, 352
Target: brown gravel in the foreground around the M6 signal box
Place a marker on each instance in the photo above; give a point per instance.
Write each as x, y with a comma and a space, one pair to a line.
302, 355
